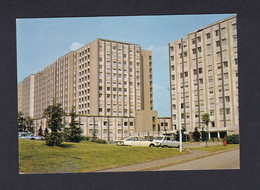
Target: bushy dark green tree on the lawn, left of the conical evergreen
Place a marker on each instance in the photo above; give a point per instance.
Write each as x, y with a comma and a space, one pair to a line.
54, 115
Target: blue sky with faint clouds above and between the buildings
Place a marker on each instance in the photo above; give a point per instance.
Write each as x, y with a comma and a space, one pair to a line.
41, 41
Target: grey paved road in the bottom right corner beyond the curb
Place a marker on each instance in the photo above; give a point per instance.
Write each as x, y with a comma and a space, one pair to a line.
226, 160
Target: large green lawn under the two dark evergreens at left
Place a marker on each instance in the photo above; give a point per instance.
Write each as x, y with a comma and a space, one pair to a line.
37, 157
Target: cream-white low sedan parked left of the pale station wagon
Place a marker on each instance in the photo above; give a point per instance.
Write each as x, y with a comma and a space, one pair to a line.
133, 141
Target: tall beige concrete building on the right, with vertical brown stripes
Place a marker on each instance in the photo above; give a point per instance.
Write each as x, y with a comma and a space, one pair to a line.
204, 79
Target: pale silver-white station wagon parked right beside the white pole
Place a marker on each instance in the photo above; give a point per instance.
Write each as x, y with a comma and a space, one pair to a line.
165, 141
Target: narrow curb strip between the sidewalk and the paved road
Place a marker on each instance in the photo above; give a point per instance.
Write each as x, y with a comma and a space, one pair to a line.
183, 161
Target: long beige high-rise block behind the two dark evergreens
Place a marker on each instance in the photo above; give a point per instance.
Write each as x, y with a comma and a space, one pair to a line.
110, 85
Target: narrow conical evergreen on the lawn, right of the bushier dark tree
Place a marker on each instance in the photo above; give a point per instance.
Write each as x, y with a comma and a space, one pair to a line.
74, 132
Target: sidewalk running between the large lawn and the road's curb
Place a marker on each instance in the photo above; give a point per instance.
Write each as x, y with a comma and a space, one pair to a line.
152, 165
